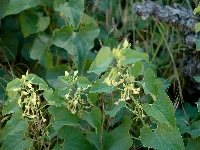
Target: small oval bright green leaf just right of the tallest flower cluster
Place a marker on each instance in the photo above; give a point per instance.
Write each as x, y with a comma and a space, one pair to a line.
136, 68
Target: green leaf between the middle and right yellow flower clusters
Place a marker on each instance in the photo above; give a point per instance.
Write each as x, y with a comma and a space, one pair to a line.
99, 86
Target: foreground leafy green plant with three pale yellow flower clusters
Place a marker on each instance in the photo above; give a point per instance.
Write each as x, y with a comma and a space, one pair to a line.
96, 114
